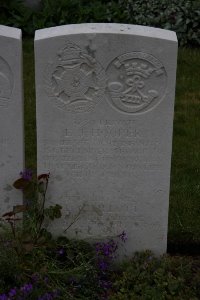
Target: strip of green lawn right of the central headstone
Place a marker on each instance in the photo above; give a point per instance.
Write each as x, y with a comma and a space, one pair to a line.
184, 213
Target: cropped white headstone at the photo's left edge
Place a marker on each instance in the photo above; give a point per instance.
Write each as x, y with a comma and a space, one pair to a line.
11, 116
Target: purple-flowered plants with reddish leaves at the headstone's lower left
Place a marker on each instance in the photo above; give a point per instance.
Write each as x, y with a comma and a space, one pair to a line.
34, 265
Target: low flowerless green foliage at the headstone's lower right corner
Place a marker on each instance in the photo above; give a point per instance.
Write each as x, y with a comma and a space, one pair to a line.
149, 278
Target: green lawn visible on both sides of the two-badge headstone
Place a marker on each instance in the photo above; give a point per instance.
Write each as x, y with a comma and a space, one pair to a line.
184, 212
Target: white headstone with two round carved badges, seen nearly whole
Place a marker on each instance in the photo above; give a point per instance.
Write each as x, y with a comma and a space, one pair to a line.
105, 101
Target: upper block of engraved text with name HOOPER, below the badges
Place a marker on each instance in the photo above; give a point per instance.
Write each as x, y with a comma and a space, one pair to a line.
116, 150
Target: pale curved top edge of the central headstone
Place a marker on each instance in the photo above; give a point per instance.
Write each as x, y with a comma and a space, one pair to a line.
105, 28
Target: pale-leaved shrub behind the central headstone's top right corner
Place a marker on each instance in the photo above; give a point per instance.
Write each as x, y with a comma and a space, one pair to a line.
181, 16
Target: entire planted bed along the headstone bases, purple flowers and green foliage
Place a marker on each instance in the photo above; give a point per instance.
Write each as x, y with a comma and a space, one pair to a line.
36, 266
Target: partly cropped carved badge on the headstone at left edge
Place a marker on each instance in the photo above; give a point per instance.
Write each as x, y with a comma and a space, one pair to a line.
6, 83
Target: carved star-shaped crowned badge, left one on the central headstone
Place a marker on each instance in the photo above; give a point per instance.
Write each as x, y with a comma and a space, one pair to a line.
75, 81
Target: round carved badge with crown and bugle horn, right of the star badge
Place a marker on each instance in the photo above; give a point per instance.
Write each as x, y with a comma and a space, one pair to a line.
136, 82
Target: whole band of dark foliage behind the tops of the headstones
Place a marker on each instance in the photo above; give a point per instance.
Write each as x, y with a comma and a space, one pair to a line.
178, 15
